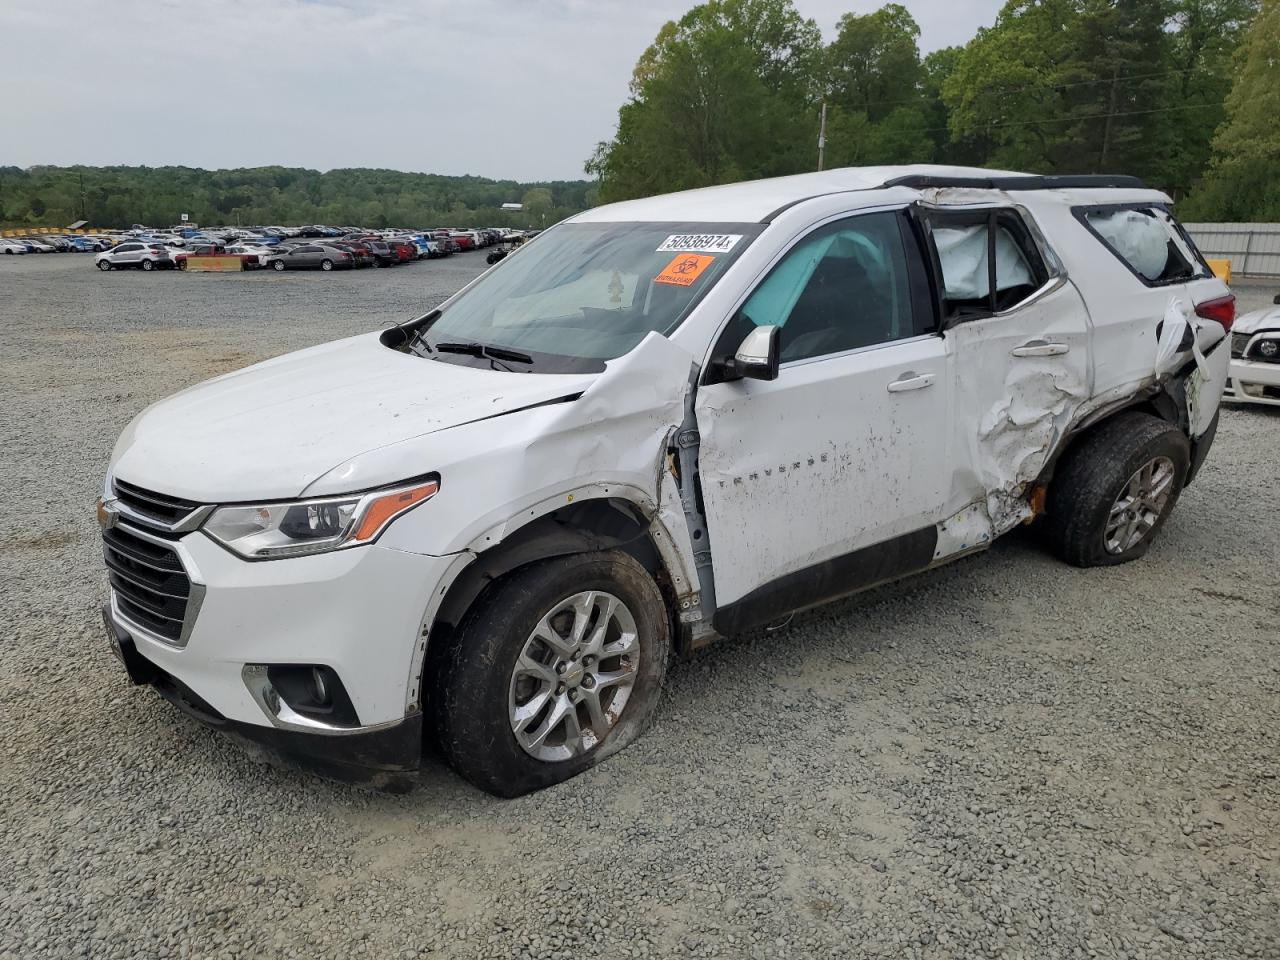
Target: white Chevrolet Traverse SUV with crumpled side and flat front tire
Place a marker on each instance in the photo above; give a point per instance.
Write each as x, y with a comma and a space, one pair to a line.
661, 423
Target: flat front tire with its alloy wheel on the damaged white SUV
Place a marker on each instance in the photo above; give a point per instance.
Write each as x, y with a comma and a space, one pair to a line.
478, 689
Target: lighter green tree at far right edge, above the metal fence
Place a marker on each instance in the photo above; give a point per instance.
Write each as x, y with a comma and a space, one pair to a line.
1244, 181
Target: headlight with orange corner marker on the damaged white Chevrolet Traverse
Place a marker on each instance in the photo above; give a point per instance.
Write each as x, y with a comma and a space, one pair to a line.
296, 528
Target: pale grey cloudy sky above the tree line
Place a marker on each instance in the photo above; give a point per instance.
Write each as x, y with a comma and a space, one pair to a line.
522, 89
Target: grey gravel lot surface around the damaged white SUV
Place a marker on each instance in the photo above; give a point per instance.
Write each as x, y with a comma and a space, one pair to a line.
1005, 758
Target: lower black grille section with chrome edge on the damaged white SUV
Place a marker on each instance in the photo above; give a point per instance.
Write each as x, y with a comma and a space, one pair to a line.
150, 586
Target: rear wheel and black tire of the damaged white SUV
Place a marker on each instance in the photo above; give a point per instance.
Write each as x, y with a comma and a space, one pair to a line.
1087, 522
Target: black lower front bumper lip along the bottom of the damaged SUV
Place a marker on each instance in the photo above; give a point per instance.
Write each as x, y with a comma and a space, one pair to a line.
383, 757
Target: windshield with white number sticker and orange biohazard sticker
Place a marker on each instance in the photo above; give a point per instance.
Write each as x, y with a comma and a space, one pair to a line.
588, 292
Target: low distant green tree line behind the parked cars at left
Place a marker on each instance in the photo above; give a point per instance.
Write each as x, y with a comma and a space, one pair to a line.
121, 196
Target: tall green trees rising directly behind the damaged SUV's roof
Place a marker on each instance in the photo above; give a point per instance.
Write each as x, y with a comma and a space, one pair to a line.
1185, 94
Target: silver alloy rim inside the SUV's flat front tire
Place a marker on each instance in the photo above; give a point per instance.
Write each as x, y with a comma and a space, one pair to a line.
574, 676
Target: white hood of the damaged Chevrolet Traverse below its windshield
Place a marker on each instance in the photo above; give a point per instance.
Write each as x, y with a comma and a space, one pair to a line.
272, 429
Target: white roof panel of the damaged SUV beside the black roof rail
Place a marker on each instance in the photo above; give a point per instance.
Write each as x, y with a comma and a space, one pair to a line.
753, 202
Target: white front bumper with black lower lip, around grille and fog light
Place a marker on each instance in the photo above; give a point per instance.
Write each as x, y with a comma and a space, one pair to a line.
356, 612
